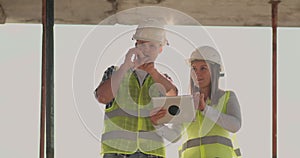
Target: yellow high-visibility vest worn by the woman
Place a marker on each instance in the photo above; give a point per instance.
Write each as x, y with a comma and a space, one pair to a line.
206, 139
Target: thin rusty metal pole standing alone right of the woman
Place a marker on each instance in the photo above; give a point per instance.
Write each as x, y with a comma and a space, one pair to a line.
274, 76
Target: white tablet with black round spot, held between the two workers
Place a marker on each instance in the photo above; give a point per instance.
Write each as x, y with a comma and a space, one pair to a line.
180, 109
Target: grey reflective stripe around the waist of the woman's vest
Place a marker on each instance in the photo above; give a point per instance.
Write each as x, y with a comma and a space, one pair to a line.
206, 140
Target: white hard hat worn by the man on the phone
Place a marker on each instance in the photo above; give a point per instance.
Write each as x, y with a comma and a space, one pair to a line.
151, 30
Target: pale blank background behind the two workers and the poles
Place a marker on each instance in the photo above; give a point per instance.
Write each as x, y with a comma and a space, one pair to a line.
80, 62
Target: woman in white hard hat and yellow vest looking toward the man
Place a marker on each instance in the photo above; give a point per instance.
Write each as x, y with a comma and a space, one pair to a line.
218, 112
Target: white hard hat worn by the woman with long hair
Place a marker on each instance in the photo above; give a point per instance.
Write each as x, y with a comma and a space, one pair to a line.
206, 53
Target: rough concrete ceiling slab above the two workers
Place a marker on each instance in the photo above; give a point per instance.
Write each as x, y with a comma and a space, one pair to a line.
206, 12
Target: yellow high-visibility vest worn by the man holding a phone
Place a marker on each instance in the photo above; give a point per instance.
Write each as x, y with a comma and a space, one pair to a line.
128, 127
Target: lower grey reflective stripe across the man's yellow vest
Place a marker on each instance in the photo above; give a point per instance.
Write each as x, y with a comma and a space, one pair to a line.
132, 136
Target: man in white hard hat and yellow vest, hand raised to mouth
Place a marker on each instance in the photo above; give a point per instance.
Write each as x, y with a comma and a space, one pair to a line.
130, 131
